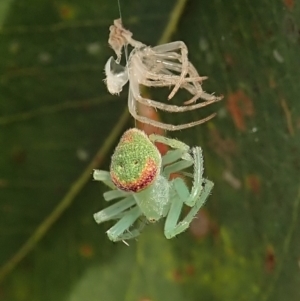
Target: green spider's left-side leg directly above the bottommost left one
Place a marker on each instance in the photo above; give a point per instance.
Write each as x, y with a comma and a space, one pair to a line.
114, 210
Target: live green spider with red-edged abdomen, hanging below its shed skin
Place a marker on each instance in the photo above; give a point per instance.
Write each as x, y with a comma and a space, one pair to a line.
140, 176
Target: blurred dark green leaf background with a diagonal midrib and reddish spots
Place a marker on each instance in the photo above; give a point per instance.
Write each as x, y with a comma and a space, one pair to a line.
57, 122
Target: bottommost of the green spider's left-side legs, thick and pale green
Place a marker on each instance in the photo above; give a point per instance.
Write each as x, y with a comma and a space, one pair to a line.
117, 232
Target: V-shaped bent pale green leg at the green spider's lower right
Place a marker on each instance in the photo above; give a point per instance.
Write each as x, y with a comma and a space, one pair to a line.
172, 227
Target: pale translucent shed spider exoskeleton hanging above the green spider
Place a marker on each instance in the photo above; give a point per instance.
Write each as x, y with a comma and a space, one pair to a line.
160, 66
